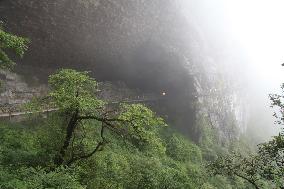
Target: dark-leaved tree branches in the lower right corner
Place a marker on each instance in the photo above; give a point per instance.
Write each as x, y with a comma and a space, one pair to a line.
266, 165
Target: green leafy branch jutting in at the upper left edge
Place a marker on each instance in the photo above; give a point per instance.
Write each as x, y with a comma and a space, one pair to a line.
9, 42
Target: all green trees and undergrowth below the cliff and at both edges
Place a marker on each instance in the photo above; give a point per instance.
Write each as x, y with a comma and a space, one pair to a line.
87, 142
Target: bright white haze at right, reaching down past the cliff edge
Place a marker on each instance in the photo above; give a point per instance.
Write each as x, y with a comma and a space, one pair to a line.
257, 28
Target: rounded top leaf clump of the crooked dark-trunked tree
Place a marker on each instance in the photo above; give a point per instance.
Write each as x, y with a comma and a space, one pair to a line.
72, 90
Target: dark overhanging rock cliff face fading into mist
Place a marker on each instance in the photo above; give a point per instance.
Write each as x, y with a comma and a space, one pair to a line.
150, 45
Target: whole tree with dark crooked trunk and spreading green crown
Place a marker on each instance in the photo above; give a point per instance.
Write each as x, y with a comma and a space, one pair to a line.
73, 95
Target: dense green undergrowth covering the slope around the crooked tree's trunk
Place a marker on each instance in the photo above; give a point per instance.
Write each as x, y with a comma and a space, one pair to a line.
169, 161
